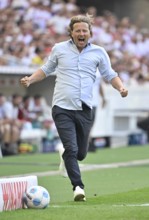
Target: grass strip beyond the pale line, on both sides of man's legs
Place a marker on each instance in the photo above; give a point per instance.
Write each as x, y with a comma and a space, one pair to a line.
45, 162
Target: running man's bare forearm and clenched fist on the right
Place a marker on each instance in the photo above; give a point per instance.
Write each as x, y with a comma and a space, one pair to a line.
117, 84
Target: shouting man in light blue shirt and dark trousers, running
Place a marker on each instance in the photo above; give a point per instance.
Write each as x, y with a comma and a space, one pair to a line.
75, 62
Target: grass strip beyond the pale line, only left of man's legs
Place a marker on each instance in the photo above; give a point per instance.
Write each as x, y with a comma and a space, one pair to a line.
28, 163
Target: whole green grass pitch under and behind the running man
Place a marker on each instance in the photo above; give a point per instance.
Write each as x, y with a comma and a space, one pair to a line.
120, 193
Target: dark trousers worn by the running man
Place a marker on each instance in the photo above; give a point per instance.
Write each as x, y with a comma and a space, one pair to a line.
73, 127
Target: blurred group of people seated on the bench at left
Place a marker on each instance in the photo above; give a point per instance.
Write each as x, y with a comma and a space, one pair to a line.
17, 113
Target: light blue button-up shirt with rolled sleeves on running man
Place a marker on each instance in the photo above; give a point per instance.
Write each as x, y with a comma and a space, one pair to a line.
76, 73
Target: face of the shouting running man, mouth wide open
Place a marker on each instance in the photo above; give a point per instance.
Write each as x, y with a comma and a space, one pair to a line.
80, 34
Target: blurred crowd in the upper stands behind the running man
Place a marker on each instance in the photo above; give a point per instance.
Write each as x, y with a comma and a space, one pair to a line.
30, 28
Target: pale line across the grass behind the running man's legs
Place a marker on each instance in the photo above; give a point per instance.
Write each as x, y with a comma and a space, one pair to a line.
89, 167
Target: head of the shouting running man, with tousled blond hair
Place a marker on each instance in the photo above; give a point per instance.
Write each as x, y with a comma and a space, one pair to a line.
80, 30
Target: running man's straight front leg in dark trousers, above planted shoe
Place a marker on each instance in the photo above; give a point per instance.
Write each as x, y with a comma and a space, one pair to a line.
65, 124
